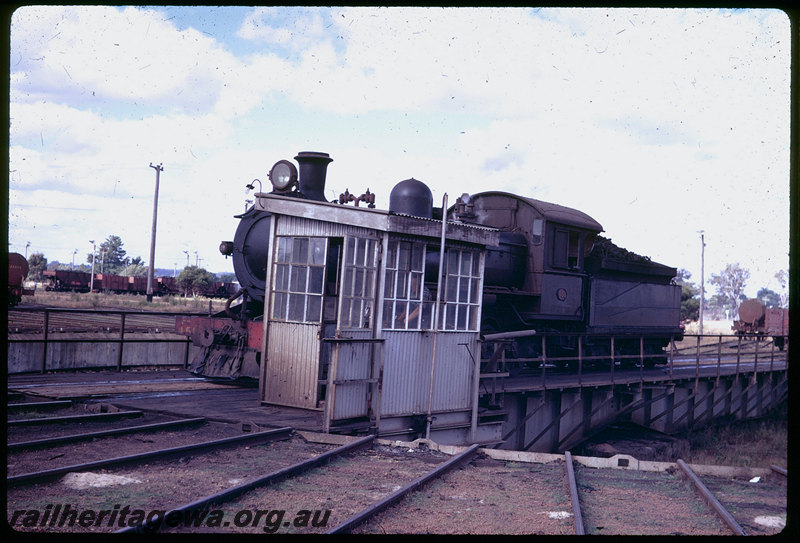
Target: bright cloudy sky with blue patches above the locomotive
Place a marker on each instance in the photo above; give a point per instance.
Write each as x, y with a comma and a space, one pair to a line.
658, 123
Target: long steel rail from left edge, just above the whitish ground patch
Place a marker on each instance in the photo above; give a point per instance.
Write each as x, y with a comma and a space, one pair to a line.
280, 433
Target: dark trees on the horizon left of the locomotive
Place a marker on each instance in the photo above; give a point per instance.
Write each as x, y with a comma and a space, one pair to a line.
110, 258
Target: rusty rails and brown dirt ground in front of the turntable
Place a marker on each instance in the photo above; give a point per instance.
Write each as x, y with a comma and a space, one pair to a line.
153, 472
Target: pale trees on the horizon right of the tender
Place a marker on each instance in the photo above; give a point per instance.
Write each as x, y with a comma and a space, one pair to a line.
730, 284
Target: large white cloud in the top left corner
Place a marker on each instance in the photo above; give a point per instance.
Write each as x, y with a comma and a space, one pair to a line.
90, 56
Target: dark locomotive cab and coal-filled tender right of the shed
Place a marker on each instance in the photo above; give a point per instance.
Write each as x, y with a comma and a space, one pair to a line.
563, 288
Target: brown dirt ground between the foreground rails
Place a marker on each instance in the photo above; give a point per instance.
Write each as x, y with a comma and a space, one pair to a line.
483, 497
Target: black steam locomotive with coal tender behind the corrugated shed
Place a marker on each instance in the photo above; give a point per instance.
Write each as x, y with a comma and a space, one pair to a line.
550, 273
